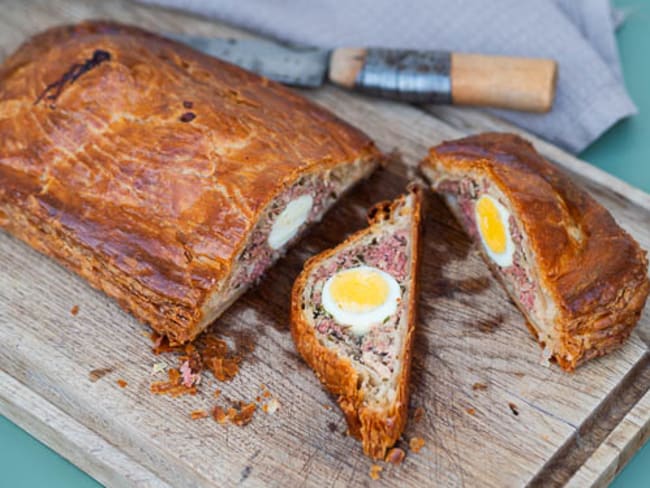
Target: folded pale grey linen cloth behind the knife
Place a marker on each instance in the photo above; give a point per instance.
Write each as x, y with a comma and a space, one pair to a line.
579, 34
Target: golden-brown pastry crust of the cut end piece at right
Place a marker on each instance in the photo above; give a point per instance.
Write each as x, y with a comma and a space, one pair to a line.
595, 272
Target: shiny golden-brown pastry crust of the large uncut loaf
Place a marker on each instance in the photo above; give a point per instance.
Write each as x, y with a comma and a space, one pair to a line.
143, 165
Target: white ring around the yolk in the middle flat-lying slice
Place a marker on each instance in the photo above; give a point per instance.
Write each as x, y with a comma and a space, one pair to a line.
361, 322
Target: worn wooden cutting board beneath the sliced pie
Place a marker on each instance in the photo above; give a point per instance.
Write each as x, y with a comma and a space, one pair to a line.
578, 428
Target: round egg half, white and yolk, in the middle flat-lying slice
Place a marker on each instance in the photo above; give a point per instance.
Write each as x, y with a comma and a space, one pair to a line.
361, 297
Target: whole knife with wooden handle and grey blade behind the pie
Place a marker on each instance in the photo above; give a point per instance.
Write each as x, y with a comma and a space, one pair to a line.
439, 77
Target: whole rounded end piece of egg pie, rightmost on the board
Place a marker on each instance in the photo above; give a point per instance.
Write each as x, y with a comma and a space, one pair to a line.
580, 280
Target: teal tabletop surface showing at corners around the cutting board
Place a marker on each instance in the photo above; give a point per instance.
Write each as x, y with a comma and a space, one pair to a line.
624, 151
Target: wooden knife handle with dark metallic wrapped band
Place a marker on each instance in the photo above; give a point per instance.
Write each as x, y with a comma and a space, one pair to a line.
526, 84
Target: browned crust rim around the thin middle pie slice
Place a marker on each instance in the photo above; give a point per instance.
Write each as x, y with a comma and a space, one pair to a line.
377, 429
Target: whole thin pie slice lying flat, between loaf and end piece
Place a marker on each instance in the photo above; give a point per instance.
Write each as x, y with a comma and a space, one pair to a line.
353, 316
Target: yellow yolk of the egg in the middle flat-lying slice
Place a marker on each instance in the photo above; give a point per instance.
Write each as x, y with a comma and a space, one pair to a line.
359, 291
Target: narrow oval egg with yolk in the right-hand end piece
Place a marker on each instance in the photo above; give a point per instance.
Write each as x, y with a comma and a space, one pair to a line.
492, 221
